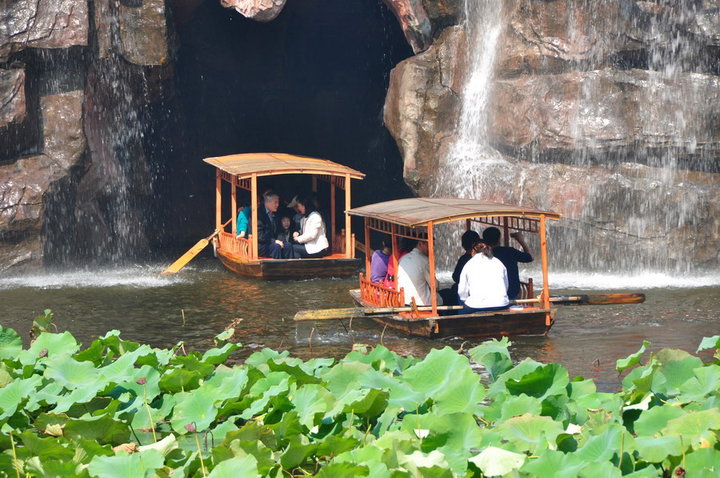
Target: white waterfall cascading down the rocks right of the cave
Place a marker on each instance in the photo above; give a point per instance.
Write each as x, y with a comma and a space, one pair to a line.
618, 140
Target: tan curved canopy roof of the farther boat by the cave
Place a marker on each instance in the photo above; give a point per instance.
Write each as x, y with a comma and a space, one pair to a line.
267, 164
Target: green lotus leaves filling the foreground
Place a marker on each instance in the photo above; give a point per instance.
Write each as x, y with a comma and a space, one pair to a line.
121, 409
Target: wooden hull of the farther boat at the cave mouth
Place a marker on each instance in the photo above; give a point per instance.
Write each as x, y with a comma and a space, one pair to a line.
281, 269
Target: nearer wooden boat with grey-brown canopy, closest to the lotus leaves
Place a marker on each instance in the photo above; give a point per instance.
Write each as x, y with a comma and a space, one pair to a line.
416, 218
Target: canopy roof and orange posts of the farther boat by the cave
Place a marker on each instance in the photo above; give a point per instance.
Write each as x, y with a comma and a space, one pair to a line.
243, 170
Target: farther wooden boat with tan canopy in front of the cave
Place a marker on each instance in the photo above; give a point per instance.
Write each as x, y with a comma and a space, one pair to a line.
245, 172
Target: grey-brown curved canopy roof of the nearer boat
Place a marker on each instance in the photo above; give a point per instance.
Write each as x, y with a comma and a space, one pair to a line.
420, 211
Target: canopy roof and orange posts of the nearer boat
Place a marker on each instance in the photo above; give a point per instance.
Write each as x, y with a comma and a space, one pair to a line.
415, 218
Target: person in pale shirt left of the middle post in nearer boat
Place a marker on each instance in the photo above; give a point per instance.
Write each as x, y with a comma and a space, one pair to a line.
414, 275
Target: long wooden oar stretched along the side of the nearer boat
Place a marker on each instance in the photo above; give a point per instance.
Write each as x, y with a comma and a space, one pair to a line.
358, 312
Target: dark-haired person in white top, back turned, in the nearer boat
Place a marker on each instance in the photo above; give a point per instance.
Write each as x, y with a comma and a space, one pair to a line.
483, 282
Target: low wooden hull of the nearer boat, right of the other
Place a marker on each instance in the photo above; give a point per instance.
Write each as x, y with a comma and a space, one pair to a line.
531, 321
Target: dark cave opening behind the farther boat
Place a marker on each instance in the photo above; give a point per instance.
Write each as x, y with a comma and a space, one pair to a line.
311, 82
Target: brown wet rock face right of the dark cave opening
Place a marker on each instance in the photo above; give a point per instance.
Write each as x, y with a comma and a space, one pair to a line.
606, 112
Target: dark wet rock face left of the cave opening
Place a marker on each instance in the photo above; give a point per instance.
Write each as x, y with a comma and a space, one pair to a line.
46, 88
